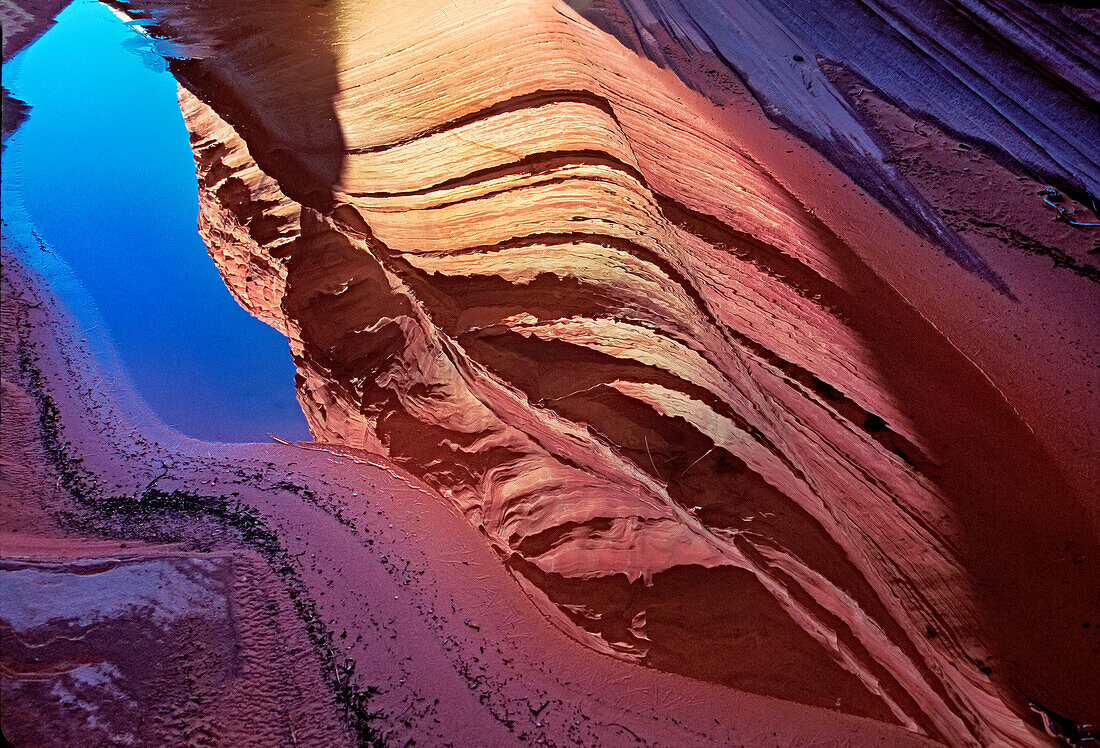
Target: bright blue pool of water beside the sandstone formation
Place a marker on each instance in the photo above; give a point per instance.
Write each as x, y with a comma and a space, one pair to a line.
106, 174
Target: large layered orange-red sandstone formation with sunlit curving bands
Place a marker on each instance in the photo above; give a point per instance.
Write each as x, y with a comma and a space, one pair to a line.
554, 283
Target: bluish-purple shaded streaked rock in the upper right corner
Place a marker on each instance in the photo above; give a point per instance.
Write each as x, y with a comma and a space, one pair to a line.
1019, 78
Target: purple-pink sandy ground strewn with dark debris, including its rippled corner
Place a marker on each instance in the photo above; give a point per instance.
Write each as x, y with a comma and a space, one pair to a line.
269, 595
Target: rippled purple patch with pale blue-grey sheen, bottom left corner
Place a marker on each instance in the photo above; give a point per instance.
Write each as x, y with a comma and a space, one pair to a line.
129, 645
